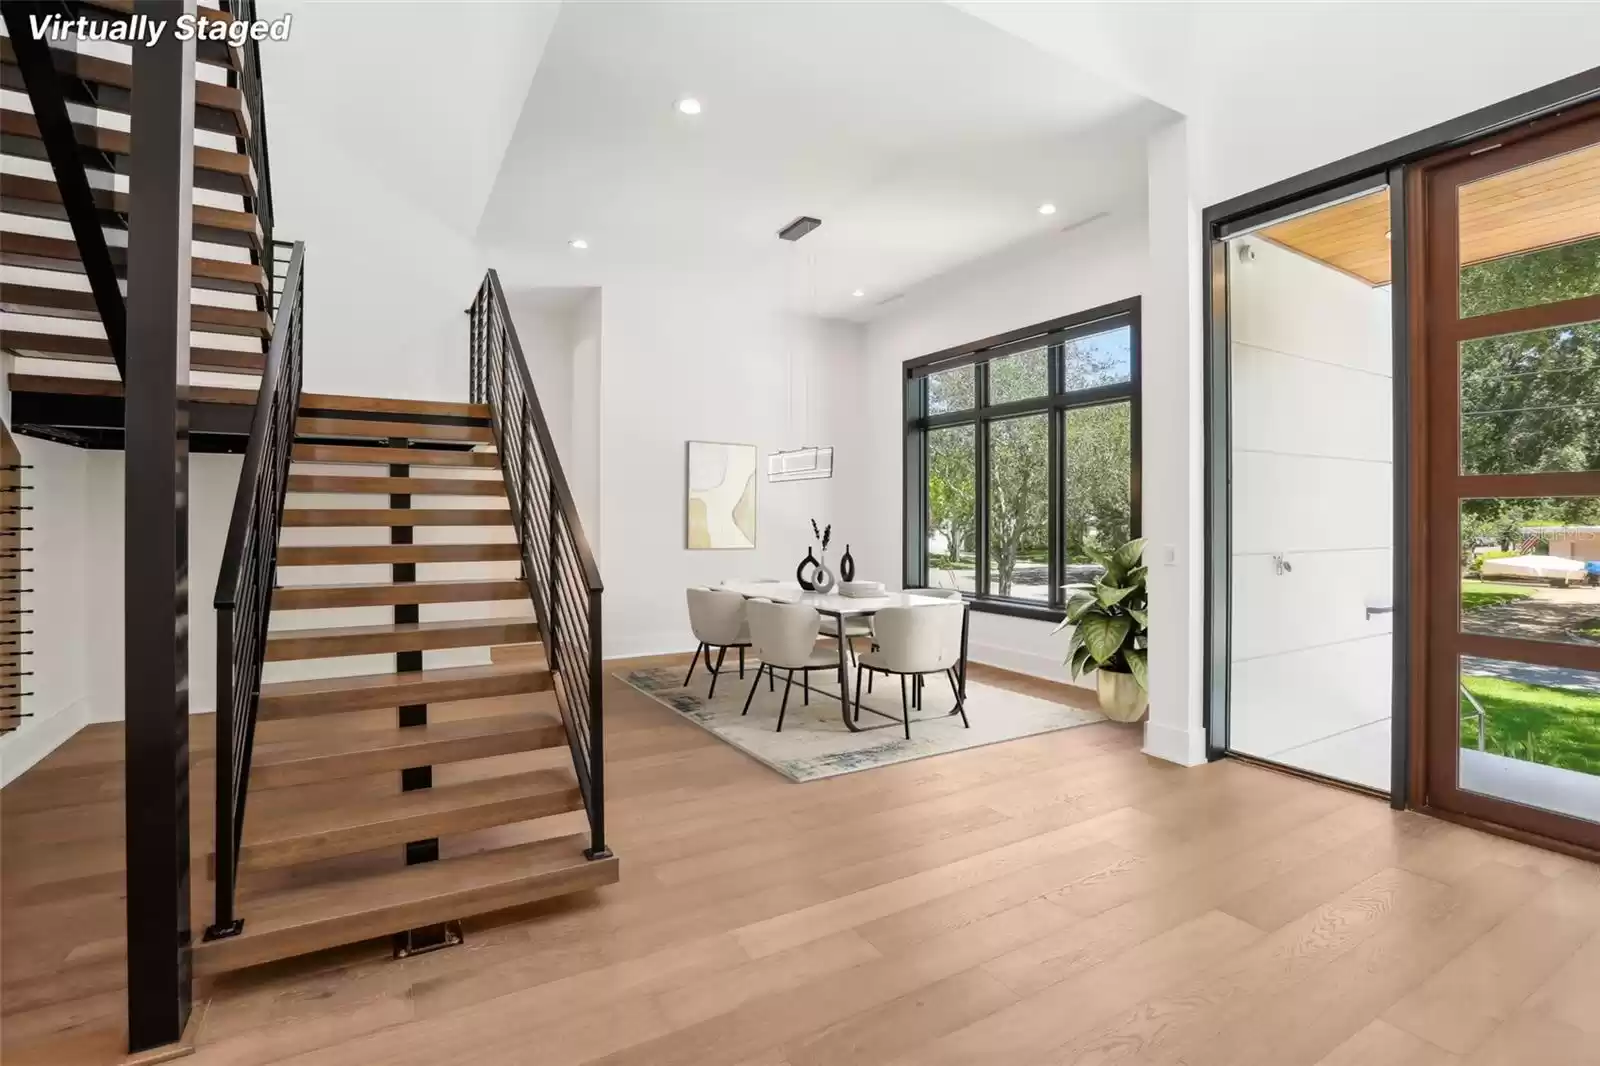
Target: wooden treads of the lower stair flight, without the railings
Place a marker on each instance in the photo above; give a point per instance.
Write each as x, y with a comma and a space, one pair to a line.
441, 787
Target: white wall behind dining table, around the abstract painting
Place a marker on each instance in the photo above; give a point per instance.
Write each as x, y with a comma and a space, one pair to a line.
710, 359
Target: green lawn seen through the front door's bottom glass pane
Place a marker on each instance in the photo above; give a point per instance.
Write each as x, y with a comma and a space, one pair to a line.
1558, 727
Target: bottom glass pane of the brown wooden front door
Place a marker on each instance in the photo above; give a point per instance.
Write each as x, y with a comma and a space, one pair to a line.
1530, 735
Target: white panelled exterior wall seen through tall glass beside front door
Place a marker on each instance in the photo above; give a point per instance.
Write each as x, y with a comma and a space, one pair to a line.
1313, 443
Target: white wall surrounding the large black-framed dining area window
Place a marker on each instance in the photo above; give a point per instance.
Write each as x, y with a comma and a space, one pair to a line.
1044, 279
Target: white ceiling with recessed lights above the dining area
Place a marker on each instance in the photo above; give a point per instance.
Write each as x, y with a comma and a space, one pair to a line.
921, 135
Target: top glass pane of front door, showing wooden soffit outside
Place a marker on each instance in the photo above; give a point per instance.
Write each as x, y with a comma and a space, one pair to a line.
1530, 236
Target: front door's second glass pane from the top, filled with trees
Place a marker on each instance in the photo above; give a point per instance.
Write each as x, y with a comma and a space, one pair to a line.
1530, 403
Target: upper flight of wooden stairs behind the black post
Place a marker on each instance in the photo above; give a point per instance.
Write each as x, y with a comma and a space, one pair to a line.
66, 143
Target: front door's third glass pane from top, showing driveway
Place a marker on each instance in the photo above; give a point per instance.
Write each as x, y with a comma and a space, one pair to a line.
1530, 569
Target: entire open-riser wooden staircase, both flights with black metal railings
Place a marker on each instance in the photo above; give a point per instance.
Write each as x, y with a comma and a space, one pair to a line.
409, 723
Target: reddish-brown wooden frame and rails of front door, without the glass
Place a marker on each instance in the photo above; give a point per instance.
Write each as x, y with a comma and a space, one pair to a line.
1433, 763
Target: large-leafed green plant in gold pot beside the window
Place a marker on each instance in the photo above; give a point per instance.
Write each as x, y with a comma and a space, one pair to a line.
1111, 631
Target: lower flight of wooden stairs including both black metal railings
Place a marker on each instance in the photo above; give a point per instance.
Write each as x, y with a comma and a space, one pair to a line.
399, 743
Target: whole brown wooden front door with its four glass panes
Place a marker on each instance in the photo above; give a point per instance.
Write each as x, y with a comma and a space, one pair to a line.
1511, 369
